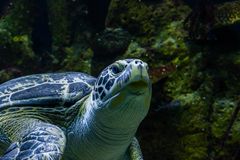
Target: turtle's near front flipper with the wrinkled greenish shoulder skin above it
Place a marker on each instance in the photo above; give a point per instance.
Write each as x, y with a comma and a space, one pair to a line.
33, 139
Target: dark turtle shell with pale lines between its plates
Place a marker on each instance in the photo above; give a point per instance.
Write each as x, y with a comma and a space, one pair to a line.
44, 94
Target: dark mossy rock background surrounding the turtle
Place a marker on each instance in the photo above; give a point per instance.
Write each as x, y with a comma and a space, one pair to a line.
192, 48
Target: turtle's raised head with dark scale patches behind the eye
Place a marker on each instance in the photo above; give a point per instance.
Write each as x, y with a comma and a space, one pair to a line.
122, 93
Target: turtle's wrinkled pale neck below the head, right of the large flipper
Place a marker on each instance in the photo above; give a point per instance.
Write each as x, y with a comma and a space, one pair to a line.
92, 138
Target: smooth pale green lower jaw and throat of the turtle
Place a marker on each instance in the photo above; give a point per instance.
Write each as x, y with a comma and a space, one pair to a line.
127, 107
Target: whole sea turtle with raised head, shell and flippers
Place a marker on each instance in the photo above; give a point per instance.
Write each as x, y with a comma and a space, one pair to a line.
74, 116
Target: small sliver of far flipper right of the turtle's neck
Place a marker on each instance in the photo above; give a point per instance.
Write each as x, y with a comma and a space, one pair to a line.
135, 150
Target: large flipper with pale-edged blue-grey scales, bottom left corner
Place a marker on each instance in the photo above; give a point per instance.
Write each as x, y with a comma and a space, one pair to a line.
46, 142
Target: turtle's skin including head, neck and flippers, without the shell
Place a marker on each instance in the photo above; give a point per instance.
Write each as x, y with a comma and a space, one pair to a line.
104, 127
